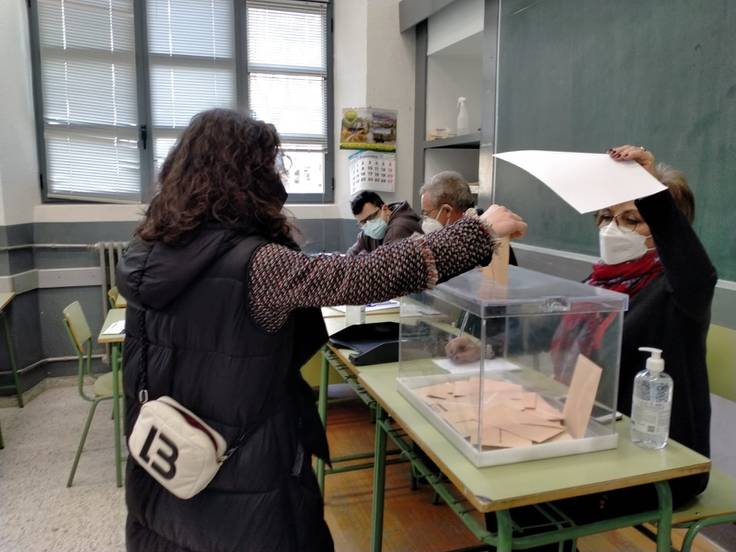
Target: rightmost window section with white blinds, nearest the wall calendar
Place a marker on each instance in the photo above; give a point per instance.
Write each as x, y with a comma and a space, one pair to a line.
287, 83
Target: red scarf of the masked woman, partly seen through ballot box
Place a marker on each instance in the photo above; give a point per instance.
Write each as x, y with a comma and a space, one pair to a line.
583, 333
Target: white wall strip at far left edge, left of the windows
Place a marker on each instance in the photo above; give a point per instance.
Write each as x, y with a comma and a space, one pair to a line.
19, 184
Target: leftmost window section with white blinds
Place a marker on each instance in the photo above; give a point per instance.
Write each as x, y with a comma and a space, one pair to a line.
89, 99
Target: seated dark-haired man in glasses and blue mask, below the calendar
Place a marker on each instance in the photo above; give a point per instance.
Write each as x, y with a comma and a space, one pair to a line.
381, 223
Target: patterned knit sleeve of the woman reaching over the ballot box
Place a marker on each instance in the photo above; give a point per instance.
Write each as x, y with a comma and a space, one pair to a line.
282, 279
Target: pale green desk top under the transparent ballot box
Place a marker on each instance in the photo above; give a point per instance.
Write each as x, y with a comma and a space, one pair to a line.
511, 485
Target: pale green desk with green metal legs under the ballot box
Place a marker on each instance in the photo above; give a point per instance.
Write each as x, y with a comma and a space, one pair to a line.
499, 488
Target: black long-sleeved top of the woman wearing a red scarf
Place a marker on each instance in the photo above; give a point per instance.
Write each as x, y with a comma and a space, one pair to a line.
672, 313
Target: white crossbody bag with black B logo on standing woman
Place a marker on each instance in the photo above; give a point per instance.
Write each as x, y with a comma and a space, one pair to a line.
175, 446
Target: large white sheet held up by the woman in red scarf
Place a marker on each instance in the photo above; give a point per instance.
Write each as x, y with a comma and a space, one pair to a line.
587, 181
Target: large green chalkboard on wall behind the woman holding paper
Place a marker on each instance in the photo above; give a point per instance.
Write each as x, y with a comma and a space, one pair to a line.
583, 75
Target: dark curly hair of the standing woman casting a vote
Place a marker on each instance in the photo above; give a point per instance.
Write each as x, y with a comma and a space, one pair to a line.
222, 169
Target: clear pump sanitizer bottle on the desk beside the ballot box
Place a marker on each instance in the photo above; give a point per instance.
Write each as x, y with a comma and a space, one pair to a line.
652, 403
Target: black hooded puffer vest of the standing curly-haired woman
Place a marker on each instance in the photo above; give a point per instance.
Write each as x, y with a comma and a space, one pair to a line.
206, 352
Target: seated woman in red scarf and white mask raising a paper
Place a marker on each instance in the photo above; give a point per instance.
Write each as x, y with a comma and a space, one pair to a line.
650, 251
